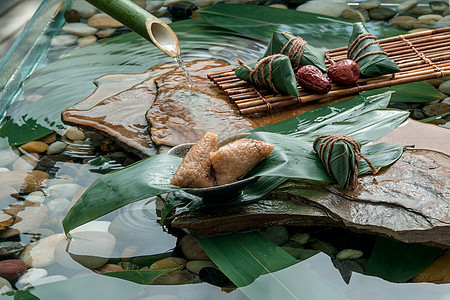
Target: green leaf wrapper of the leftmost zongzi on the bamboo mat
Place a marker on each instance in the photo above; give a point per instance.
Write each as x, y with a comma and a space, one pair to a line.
282, 75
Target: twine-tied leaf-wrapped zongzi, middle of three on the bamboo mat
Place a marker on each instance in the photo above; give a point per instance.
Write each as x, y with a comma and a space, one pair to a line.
298, 51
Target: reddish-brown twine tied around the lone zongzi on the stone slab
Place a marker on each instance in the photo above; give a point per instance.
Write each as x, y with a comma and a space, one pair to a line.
330, 140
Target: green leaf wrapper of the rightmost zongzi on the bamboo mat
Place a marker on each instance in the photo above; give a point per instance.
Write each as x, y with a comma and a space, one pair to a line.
371, 65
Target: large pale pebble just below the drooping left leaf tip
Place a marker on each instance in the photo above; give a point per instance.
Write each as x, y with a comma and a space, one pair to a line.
91, 248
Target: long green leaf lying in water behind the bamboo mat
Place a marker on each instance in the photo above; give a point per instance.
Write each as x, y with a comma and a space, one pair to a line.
260, 22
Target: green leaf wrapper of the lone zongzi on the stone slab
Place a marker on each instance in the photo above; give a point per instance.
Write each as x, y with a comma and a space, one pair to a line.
342, 161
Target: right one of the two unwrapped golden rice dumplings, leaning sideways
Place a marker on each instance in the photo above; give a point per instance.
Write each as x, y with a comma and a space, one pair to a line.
233, 161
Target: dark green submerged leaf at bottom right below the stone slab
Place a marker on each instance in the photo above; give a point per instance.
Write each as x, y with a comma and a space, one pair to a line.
399, 262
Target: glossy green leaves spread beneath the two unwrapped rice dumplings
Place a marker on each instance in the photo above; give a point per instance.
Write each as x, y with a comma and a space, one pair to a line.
293, 157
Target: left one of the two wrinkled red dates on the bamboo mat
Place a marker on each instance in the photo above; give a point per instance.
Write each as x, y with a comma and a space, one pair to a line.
311, 78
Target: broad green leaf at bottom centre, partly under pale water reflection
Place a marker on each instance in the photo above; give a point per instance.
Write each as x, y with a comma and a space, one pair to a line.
244, 257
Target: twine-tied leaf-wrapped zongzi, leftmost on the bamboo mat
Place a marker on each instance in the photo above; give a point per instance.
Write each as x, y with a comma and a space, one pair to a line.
274, 72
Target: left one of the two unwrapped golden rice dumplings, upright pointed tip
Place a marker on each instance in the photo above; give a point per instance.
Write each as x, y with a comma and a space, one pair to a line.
195, 169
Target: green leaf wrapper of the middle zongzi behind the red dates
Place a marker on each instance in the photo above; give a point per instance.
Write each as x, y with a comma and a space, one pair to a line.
311, 55
